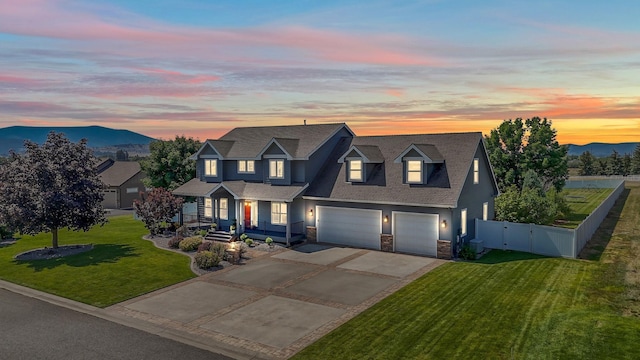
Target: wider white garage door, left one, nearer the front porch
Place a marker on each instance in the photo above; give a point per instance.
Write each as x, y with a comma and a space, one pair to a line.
346, 226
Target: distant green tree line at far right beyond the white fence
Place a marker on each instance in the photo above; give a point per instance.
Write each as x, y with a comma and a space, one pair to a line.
614, 164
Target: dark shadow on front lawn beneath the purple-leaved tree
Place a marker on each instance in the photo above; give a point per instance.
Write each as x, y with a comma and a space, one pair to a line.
101, 254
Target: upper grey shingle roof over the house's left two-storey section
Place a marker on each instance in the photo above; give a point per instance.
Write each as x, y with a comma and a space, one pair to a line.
298, 141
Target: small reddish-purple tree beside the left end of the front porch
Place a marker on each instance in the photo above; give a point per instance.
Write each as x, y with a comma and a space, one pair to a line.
158, 207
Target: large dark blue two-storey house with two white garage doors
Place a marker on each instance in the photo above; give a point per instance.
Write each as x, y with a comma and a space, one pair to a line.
416, 194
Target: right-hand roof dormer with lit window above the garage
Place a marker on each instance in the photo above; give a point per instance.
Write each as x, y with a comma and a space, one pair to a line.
418, 162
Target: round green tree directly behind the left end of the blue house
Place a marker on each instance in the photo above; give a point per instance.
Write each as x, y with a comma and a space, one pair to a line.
169, 166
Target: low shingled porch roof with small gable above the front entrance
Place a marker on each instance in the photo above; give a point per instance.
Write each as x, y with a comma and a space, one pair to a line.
242, 190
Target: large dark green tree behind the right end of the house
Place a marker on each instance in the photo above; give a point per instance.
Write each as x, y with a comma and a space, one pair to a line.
517, 146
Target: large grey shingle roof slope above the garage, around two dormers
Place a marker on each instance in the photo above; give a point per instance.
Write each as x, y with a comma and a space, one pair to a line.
385, 184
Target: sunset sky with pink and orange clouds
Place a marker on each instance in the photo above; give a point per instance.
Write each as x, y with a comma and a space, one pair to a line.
200, 68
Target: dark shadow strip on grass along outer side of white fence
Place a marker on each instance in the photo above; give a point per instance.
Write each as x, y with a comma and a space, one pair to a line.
594, 249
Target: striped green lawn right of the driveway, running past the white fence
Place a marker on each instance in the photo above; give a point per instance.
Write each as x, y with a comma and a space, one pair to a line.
511, 305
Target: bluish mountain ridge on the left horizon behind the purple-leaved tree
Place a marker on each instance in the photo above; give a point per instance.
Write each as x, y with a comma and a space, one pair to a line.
97, 136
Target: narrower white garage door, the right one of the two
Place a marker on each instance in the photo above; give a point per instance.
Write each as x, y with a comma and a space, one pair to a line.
415, 233
